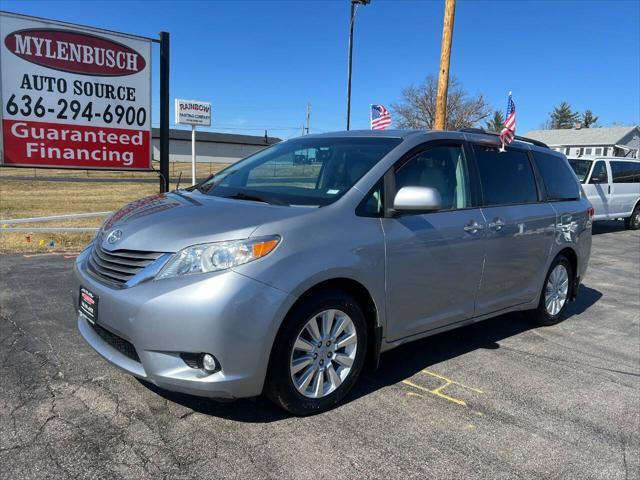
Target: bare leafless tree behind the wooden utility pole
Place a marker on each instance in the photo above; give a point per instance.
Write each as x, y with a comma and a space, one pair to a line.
418, 106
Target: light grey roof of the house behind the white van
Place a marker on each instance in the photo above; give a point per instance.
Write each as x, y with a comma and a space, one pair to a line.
583, 136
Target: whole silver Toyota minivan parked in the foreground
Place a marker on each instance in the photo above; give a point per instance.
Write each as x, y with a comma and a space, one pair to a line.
279, 278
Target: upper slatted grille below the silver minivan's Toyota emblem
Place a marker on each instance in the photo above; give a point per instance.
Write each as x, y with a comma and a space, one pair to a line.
118, 266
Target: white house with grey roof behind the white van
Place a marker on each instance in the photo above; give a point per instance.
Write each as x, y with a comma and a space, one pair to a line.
615, 141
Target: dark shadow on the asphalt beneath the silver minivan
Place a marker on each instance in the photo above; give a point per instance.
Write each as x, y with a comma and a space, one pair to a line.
395, 366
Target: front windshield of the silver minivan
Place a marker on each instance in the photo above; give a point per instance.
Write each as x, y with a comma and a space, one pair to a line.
302, 172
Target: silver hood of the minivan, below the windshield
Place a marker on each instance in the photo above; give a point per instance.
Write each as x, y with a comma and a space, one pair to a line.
172, 221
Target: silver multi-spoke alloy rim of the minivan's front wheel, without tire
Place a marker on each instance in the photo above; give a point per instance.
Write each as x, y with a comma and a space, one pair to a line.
323, 353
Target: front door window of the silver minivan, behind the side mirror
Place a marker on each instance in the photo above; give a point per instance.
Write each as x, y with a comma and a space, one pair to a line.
442, 168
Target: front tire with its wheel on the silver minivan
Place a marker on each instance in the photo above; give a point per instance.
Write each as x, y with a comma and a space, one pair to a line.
325, 389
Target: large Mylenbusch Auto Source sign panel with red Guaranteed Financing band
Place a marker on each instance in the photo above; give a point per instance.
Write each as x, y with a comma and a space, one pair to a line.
73, 97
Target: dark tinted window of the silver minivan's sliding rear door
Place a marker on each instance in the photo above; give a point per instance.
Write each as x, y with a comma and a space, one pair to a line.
506, 177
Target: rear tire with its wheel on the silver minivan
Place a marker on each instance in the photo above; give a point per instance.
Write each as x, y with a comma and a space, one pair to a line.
551, 313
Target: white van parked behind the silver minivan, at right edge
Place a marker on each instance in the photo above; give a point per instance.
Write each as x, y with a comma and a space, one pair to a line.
612, 185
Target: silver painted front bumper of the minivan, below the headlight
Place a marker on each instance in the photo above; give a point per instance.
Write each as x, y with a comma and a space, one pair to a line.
229, 315
